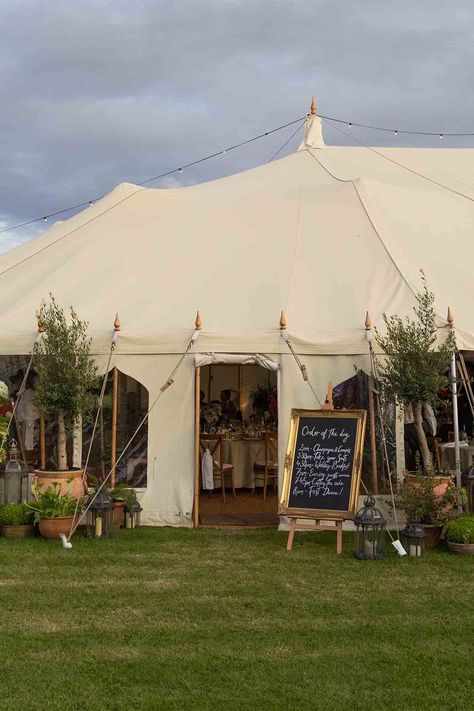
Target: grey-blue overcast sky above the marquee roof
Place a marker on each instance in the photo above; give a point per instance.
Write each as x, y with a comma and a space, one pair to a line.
100, 92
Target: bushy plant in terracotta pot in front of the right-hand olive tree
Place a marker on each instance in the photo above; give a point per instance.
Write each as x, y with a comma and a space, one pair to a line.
431, 509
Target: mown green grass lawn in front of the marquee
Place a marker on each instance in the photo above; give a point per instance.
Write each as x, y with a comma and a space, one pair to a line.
211, 619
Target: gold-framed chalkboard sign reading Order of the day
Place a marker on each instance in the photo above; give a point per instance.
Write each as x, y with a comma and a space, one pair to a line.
323, 463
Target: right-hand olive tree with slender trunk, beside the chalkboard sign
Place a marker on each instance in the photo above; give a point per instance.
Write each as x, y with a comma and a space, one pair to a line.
414, 371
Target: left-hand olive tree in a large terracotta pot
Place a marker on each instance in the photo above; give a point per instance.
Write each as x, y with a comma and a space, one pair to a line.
66, 379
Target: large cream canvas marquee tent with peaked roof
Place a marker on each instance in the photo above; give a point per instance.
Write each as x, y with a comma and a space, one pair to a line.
325, 234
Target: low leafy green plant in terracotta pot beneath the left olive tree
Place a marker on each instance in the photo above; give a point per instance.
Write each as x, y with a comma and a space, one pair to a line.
53, 511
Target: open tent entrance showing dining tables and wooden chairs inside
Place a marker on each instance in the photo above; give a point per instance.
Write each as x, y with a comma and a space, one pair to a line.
236, 474
